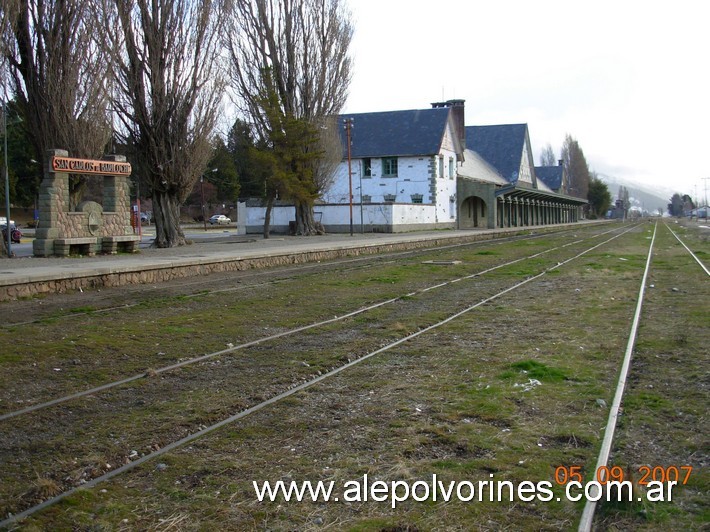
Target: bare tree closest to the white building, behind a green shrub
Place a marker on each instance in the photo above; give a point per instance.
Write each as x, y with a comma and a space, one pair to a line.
296, 50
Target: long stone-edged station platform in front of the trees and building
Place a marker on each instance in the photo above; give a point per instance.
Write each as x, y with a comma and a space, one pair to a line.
216, 251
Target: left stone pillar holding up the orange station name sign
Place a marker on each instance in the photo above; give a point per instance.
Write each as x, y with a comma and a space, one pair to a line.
53, 201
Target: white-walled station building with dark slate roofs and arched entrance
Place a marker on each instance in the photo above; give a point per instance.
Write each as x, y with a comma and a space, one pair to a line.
423, 169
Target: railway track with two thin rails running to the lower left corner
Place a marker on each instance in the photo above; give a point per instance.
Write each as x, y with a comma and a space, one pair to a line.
217, 369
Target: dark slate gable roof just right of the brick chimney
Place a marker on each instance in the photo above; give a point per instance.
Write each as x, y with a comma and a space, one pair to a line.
501, 146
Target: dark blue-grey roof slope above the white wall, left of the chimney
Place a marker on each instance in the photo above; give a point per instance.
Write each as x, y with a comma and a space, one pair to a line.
396, 133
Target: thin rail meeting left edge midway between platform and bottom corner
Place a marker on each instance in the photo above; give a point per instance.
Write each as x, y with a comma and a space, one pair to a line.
194, 360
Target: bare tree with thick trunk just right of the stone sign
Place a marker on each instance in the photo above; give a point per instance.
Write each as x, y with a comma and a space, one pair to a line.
165, 56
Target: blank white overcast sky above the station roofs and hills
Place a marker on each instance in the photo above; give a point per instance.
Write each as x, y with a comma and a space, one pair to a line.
629, 79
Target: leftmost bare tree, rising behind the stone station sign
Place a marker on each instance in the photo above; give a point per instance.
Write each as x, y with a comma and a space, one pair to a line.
58, 76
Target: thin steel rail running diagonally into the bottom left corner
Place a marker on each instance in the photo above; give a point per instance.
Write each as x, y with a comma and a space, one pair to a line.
291, 391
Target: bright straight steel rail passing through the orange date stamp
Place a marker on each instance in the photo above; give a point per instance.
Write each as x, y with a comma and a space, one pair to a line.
585, 524
